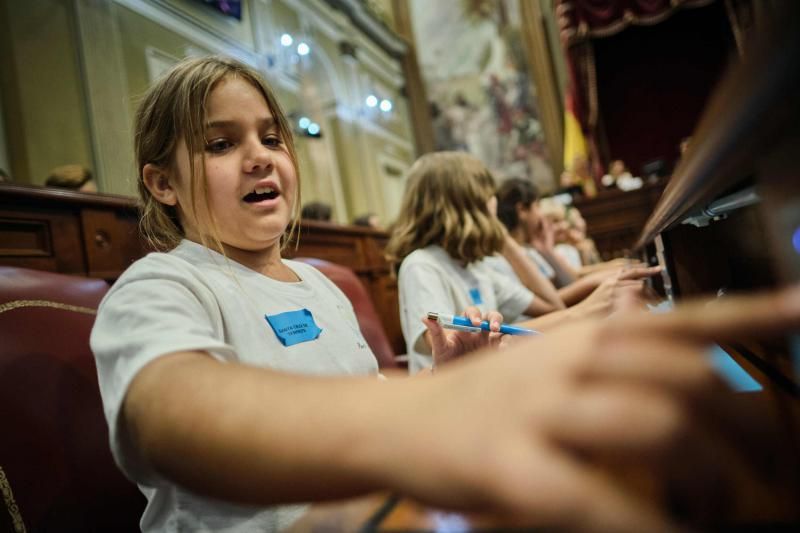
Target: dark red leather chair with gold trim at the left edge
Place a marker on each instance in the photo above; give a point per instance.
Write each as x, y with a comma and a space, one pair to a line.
56, 470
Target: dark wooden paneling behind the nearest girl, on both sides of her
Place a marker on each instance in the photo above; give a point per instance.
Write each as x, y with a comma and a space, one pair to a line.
97, 235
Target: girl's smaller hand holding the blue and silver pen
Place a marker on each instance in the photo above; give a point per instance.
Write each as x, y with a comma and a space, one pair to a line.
447, 344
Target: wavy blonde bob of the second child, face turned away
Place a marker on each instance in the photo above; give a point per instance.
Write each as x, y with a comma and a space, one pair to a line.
445, 204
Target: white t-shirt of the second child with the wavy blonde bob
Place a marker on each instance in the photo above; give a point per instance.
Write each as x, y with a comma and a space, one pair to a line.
430, 280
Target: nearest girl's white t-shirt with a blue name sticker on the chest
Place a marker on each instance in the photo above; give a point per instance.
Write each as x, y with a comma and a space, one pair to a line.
195, 299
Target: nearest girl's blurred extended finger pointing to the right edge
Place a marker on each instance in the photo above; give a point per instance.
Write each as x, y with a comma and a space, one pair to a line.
738, 316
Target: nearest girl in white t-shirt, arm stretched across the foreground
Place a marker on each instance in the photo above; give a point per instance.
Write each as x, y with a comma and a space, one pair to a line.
201, 348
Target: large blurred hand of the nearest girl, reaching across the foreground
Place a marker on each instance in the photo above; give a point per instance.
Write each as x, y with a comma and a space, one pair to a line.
613, 425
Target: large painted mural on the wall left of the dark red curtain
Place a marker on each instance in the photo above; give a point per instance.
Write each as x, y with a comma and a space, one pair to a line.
482, 98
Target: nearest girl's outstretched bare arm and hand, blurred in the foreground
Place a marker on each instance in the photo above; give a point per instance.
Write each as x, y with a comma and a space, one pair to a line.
554, 424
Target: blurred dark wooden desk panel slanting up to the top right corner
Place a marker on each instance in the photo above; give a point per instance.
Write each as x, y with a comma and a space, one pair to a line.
755, 107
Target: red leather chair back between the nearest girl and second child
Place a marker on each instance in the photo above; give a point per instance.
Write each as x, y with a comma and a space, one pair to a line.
368, 320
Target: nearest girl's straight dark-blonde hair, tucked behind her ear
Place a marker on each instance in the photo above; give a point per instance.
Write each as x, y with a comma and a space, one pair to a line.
174, 107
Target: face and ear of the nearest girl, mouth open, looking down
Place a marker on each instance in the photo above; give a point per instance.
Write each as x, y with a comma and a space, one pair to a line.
251, 179
